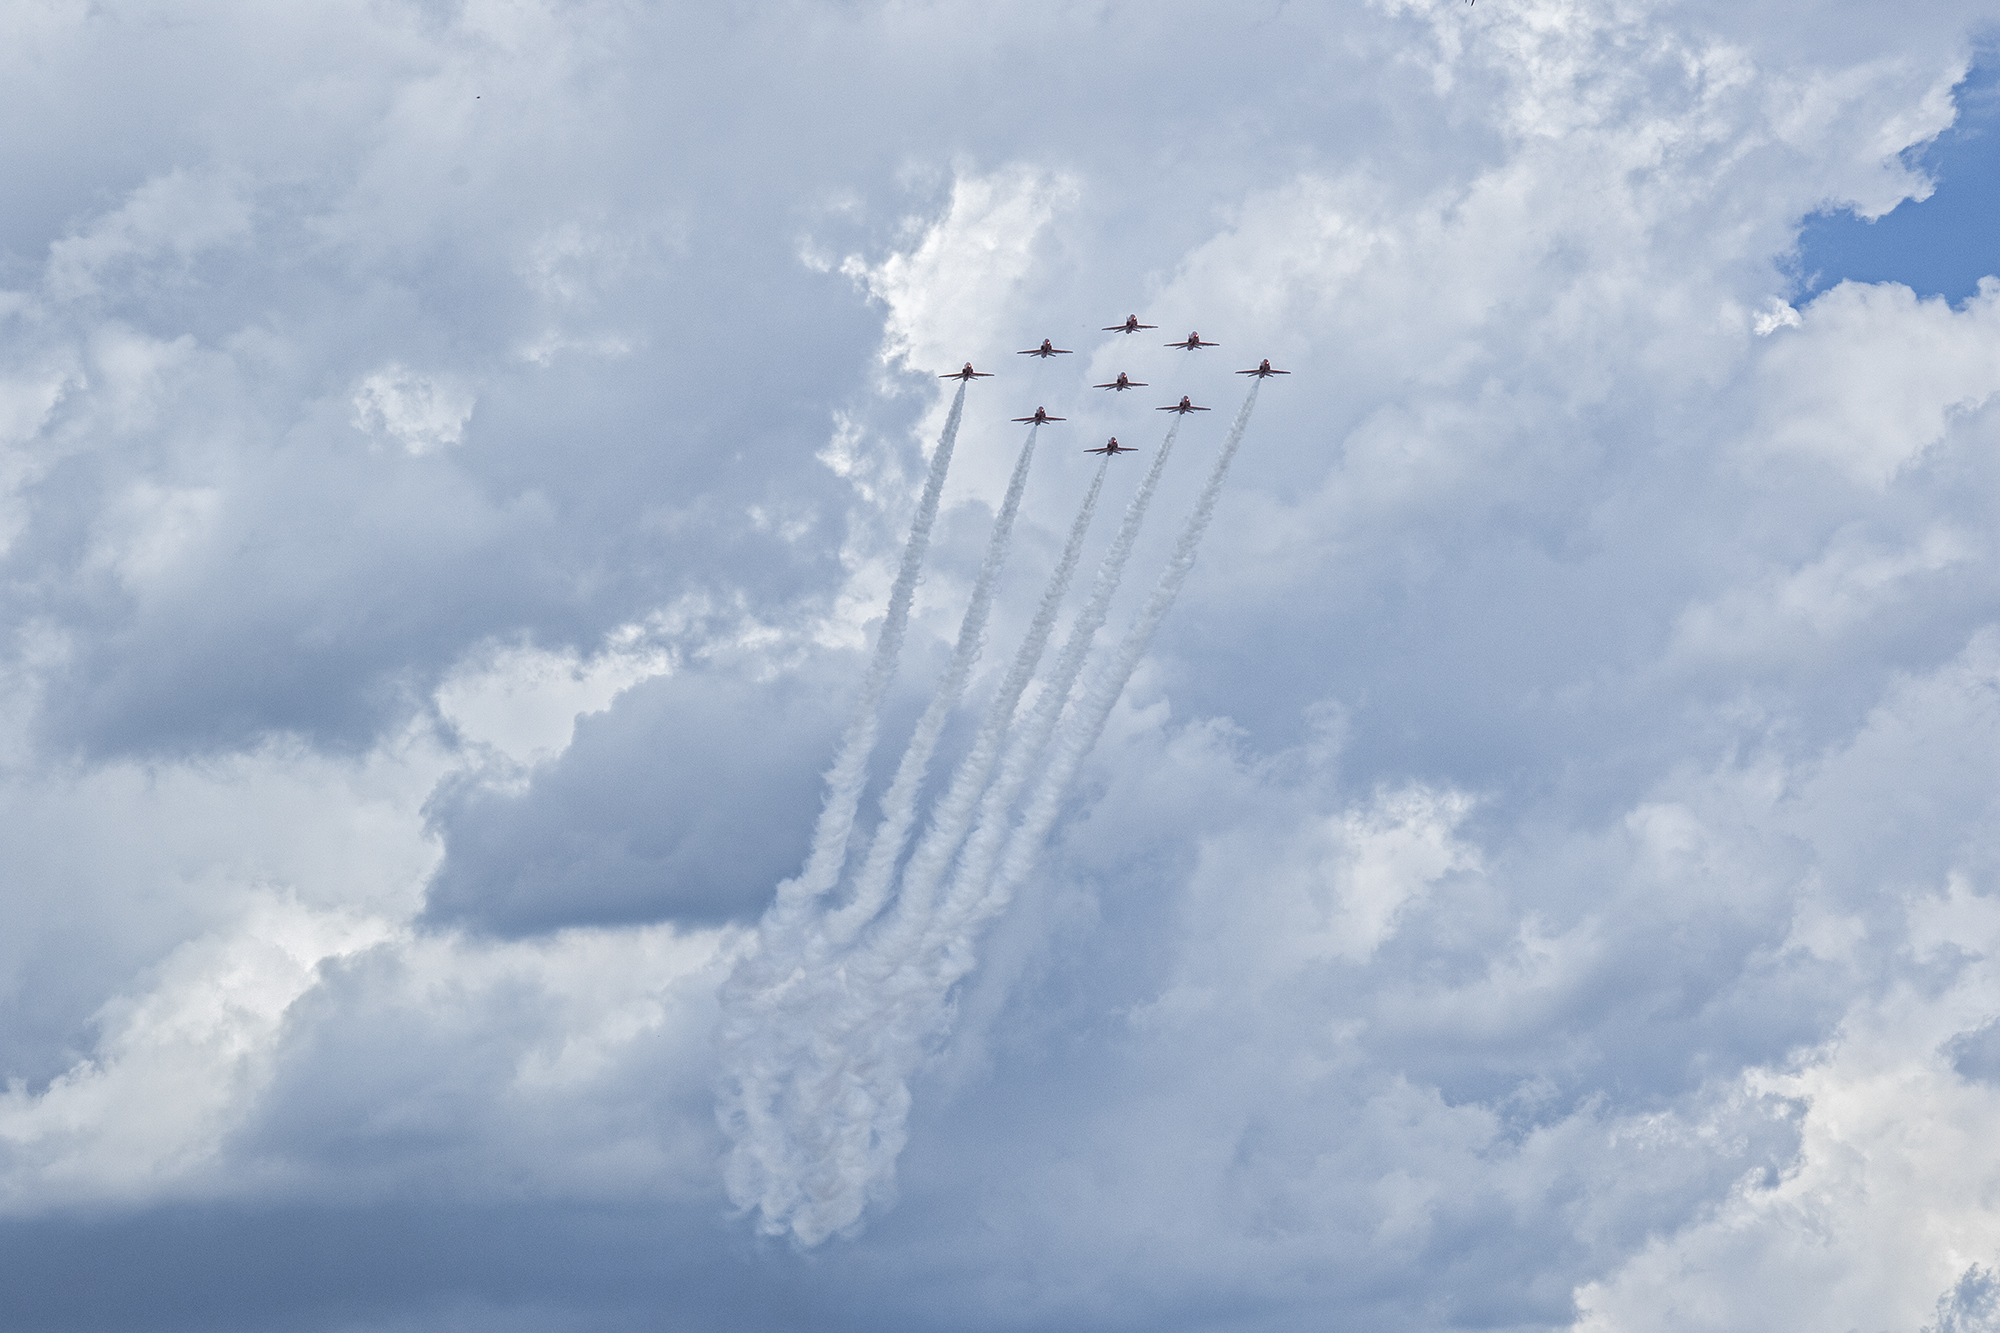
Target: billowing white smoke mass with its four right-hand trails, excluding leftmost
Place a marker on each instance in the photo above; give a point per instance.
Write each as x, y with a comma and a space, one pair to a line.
819, 1060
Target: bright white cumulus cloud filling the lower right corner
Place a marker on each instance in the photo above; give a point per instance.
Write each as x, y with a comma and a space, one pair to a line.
1891, 1196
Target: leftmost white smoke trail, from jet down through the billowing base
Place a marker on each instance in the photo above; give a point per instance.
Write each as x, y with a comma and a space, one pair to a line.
757, 1034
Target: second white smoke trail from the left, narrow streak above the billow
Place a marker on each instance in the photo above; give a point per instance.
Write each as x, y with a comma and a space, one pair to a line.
899, 804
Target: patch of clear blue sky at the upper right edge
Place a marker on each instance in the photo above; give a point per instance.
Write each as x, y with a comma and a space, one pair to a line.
1941, 245
